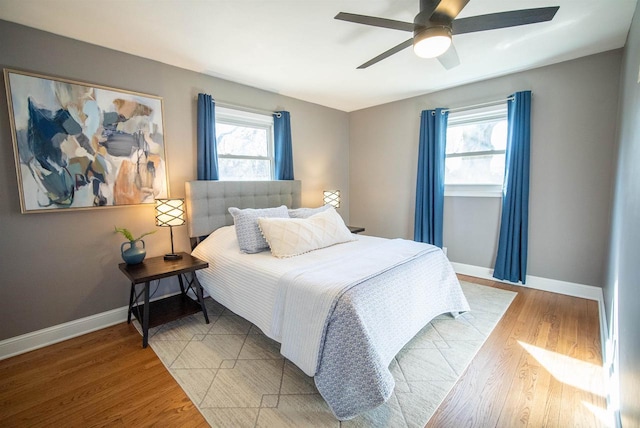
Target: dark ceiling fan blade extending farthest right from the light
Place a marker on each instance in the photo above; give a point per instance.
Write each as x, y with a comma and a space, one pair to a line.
503, 20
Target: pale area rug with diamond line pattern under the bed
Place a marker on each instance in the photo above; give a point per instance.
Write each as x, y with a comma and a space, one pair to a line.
236, 376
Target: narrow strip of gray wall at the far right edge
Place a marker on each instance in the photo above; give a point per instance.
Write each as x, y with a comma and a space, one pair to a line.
622, 287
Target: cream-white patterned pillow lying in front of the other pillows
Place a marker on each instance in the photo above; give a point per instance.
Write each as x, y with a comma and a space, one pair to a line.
294, 236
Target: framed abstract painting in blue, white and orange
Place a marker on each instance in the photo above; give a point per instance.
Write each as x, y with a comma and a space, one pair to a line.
79, 145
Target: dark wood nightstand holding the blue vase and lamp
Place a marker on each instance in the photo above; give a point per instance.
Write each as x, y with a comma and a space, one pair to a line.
158, 312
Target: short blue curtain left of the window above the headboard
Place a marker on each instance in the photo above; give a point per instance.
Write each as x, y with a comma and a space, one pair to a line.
207, 146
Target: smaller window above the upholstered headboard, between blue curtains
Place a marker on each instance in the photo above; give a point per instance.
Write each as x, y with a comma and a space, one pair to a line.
245, 145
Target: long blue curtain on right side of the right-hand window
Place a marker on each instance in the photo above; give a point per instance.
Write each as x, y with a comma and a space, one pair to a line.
511, 260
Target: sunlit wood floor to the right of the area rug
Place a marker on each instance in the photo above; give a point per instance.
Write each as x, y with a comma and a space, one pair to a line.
536, 369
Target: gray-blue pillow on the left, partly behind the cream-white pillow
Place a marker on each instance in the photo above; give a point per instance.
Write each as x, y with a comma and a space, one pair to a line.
249, 236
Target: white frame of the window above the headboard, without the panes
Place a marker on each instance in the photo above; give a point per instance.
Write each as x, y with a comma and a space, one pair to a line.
236, 117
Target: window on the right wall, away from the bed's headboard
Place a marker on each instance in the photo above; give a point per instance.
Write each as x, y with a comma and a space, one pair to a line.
475, 152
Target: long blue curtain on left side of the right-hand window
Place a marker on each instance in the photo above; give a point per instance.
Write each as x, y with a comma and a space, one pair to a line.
430, 183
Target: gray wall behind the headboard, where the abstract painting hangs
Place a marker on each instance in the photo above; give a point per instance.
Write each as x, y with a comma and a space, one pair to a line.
61, 266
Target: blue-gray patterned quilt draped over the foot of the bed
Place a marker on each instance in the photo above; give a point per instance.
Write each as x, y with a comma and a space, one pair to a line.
372, 321
